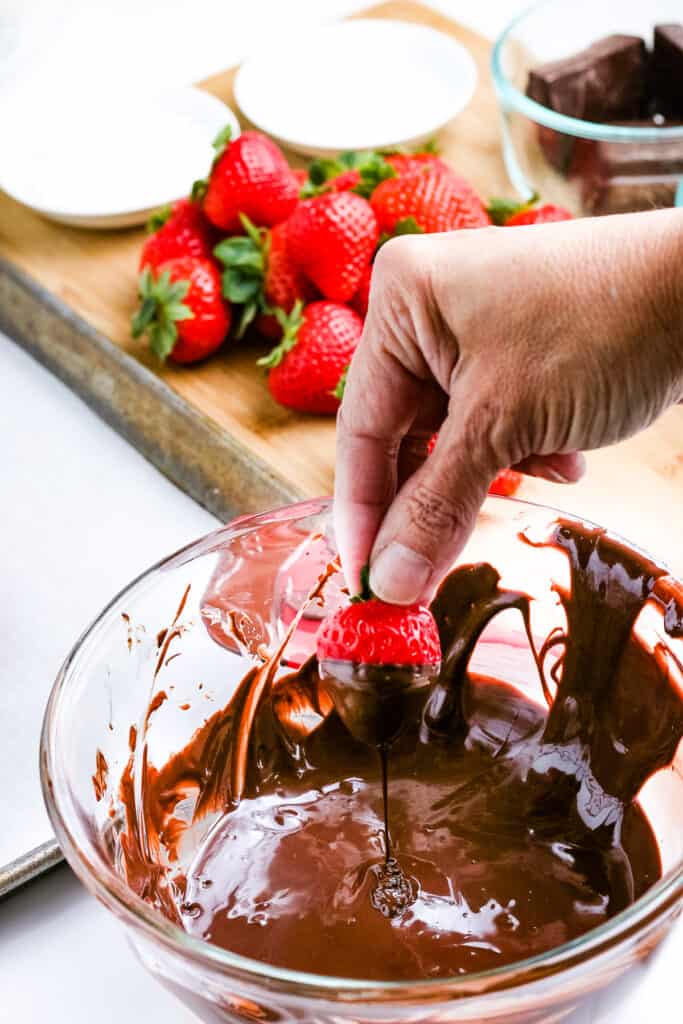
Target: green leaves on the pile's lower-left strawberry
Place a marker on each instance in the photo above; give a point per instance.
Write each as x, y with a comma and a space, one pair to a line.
161, 309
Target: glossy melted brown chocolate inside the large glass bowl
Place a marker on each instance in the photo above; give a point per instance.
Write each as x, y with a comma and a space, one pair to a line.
510, 828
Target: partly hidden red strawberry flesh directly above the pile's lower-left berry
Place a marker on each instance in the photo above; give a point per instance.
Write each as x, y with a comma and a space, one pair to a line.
181, 230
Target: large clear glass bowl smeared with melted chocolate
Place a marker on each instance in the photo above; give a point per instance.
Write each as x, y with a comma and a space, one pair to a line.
263, 566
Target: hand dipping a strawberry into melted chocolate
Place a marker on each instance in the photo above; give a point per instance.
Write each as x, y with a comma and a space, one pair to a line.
521, 347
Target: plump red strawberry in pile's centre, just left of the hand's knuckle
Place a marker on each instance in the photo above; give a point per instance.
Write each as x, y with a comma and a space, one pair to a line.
332, 238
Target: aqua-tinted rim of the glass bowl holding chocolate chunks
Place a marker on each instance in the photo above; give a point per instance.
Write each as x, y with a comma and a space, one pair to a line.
511, 98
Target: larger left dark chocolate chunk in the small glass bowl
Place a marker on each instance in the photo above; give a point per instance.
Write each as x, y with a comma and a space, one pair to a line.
606, 82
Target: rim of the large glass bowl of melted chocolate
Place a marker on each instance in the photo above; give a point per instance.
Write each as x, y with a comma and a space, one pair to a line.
88, 863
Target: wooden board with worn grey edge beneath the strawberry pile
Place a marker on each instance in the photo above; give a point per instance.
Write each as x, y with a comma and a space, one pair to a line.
68, 294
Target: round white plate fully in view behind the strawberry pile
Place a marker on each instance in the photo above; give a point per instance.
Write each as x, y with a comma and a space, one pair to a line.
357, 86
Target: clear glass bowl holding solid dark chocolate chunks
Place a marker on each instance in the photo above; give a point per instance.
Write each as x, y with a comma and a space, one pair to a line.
589, 167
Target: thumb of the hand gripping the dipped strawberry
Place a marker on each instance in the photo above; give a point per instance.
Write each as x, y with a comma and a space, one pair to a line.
430, 522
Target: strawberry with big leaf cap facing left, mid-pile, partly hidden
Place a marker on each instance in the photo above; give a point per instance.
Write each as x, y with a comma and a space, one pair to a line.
261, 276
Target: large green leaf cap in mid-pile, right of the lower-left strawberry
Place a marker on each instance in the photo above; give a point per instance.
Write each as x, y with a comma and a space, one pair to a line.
246, 260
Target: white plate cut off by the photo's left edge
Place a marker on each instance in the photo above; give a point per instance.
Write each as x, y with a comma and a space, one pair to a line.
108, 162
